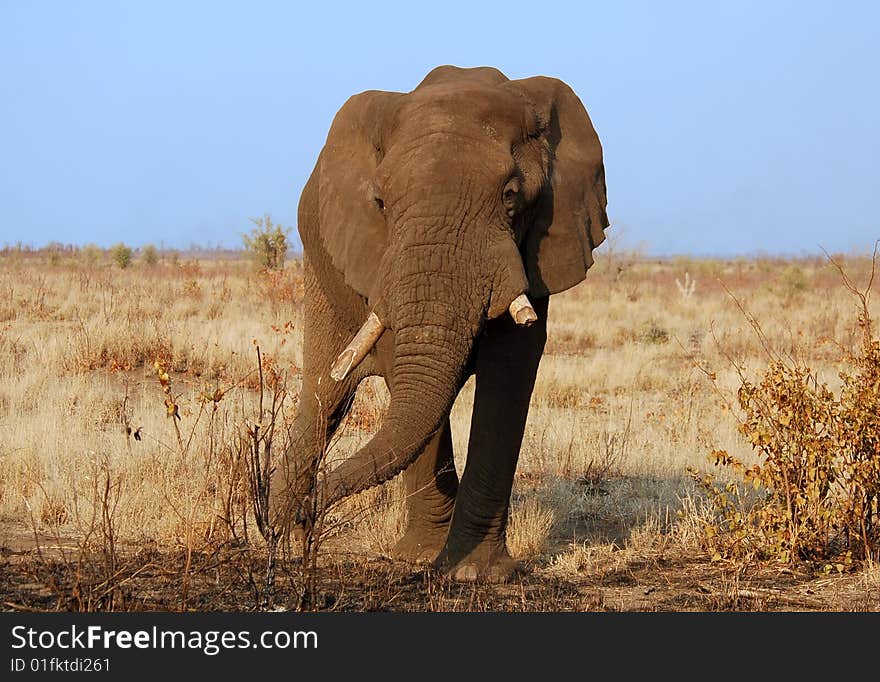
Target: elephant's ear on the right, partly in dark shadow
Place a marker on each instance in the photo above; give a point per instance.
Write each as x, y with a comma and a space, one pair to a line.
569, 219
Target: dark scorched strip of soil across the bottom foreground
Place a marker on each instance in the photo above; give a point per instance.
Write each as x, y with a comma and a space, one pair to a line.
59, 576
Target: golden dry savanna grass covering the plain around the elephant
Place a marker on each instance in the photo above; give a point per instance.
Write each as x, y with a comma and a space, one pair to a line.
625, 402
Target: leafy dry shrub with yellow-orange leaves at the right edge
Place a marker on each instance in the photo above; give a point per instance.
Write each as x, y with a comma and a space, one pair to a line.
818, 479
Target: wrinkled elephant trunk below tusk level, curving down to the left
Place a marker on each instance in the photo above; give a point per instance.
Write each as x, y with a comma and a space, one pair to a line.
429, 368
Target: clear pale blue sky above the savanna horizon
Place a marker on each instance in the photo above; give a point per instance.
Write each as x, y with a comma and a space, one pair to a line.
728, 128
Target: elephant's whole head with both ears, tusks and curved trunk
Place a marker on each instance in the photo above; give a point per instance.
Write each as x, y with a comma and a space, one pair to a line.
443, 208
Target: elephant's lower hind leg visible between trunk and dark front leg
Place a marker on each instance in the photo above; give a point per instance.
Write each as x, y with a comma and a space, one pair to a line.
431, 485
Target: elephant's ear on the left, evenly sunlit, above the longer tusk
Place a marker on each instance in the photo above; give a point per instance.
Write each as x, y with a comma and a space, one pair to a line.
351, 227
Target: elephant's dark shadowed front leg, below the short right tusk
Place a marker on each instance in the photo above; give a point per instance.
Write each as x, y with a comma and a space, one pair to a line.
506, 366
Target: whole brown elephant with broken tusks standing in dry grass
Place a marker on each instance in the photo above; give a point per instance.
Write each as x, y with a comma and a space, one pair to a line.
428, 216
